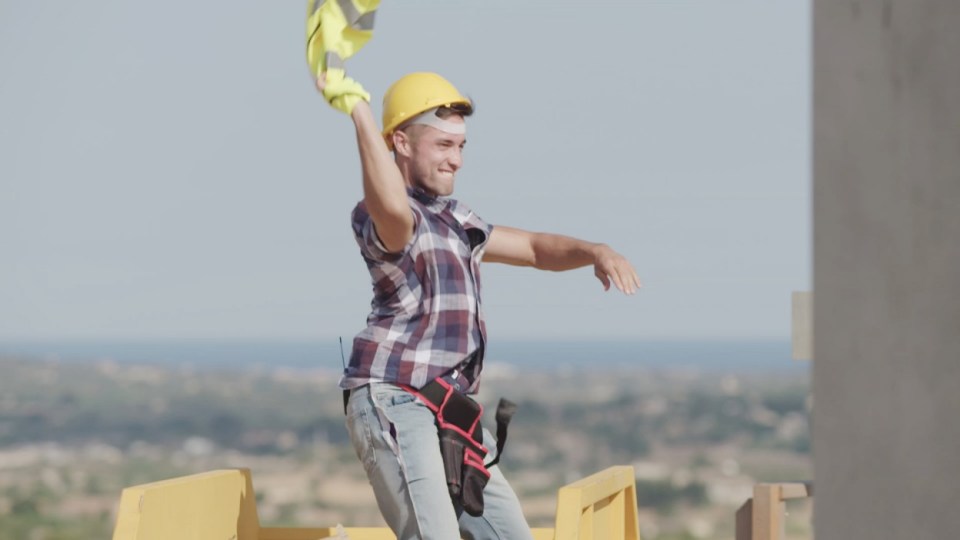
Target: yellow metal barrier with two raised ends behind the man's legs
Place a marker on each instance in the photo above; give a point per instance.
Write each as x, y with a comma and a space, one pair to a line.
220, 505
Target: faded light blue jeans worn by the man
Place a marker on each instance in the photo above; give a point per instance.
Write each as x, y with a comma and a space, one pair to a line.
395, 438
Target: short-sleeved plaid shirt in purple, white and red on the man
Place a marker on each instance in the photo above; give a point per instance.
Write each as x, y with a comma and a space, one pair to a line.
425, 314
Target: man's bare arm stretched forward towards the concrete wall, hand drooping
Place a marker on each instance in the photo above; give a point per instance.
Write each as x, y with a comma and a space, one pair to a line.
556, 252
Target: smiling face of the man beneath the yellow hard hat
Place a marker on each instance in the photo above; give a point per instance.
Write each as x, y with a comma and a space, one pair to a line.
435, 157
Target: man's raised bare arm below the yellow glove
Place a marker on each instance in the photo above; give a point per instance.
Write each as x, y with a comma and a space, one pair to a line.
384, 190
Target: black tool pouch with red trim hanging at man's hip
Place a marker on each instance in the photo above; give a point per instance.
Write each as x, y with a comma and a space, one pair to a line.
461, 440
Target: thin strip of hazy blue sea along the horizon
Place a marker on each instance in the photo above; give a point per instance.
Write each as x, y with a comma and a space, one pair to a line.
703, 355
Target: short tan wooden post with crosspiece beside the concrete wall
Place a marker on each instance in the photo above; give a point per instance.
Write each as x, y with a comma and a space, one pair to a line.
761, 517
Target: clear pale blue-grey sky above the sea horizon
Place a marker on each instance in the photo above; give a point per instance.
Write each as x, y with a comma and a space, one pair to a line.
167, 169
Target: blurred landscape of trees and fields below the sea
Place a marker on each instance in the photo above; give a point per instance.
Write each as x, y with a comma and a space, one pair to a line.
74, 433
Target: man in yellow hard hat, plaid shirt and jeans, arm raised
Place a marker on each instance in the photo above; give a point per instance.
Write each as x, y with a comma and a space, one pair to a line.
423, 251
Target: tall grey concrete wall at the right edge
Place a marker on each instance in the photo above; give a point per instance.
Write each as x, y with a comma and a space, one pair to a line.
886, 419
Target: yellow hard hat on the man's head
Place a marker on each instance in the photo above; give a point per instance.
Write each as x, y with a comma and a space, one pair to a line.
416, 93
